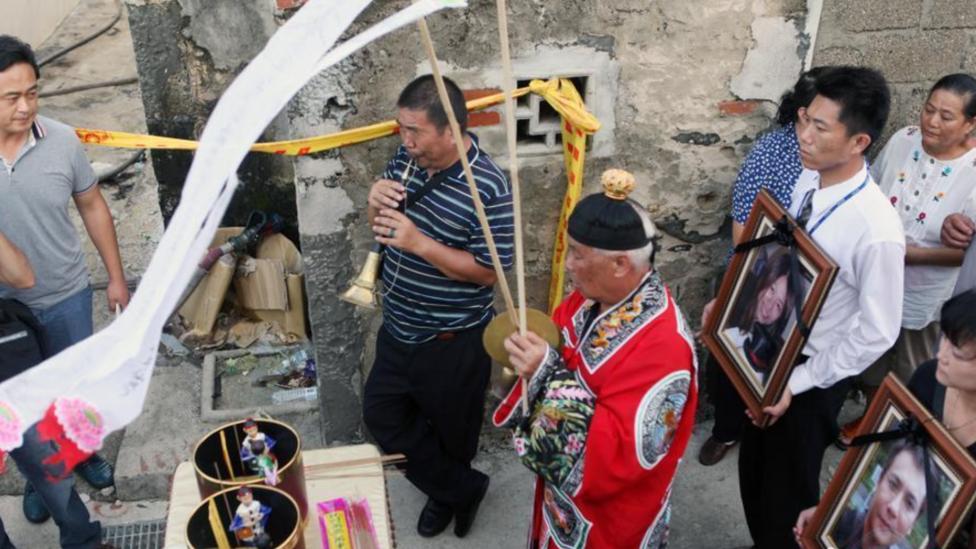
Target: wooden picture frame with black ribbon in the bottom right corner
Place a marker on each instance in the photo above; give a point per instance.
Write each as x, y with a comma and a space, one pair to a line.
863, 471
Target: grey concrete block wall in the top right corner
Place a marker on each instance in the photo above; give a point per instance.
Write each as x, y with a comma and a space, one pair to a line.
913, 42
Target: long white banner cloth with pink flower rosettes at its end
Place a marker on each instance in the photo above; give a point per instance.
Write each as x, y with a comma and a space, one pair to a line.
99, 385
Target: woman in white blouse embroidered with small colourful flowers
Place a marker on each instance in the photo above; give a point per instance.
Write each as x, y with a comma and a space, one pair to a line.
928, 172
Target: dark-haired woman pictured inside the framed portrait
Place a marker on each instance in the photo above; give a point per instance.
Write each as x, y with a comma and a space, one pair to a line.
757, 331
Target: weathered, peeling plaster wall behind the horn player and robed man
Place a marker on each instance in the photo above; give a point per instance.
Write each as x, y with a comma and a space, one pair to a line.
661, 75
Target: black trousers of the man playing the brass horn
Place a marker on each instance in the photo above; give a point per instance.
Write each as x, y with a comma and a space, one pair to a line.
427, 401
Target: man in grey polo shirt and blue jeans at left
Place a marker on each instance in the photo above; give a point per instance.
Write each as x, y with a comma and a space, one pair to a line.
43, 169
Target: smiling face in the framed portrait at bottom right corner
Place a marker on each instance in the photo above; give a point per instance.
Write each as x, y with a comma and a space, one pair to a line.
897, 502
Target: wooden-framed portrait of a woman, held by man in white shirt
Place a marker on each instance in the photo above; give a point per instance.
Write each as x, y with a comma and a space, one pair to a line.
753, 331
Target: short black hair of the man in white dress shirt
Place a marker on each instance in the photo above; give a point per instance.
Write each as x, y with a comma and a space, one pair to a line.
863, 96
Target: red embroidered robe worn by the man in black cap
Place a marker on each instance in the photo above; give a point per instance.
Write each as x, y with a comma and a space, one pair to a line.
612, 415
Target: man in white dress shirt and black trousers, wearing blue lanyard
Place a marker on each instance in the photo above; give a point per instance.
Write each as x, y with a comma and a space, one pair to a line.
853, 222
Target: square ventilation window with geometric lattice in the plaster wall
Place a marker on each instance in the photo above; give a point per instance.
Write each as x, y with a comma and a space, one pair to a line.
538, 125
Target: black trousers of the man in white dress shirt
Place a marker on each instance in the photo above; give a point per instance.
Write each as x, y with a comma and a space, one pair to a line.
779, 467
